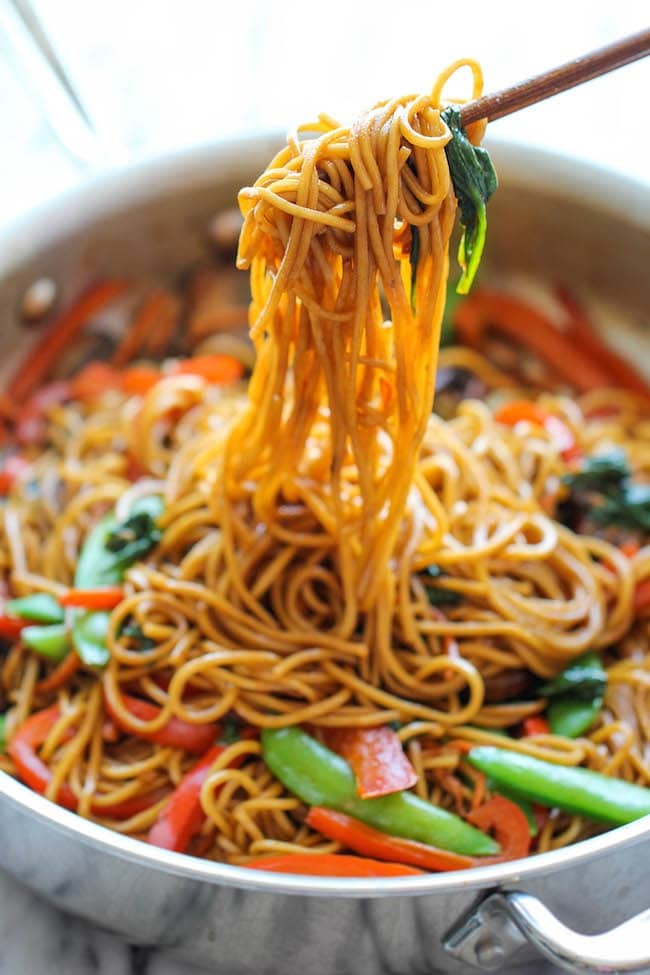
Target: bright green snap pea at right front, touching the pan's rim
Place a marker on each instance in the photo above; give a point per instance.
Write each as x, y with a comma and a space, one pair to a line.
575, 790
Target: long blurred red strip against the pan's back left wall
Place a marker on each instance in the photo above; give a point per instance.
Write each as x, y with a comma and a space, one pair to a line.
36, 368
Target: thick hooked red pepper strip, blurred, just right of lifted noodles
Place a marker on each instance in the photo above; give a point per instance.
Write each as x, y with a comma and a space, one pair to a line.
512, 317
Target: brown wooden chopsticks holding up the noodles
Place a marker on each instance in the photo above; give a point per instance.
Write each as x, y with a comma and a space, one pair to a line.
558, 79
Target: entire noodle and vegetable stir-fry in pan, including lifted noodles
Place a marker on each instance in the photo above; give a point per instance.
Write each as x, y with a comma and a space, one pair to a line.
306, 622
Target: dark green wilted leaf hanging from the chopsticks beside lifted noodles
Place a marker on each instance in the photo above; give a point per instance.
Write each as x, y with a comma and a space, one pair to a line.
475, 180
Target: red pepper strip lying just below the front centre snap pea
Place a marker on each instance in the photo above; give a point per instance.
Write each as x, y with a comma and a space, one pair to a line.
371, 842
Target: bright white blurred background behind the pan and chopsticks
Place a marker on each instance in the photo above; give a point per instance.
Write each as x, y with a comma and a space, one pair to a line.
157, 74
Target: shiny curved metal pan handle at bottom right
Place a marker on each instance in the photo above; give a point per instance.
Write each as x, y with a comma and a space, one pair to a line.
504, 922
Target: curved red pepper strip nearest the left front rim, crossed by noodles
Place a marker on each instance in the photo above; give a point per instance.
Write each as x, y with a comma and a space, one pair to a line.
33, 771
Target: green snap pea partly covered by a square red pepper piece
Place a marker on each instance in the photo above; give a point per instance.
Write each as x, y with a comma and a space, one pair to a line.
321, 778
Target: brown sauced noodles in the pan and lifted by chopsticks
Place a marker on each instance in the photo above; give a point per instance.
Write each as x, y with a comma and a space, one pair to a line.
293, 580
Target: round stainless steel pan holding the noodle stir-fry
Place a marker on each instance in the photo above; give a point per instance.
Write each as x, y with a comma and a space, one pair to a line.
551, 217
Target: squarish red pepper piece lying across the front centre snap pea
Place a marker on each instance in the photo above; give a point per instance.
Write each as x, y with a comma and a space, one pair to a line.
376, 757
